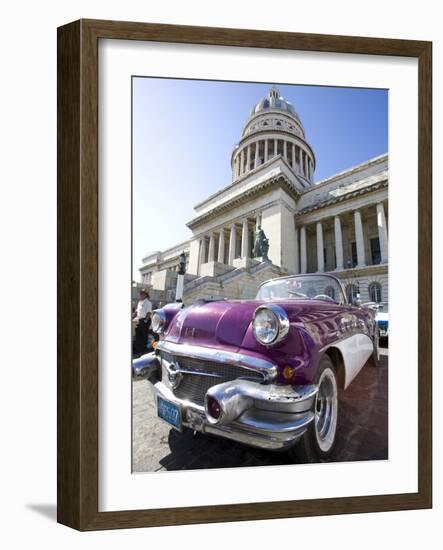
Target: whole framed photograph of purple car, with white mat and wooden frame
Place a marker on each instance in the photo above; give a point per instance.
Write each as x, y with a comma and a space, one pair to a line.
244, 275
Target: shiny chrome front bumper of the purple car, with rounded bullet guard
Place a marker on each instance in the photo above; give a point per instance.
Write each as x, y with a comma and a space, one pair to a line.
267, 416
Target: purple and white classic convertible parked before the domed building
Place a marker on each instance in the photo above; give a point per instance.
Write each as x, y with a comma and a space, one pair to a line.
264, 372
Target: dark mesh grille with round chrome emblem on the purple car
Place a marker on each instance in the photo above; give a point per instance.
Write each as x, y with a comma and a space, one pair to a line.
193, 387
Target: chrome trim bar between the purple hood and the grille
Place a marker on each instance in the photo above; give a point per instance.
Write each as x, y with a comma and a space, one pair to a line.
266, 368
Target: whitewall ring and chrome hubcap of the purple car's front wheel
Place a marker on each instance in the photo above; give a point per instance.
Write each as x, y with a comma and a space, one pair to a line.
326, 405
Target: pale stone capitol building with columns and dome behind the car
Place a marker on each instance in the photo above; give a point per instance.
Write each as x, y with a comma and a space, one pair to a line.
337, 225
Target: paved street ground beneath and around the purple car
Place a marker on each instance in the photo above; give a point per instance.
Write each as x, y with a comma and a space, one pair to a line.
362, 432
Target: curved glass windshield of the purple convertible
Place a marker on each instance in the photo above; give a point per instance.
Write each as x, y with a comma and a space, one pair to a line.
302, 287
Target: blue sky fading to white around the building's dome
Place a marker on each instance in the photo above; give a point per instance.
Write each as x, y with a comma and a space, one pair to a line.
184, 132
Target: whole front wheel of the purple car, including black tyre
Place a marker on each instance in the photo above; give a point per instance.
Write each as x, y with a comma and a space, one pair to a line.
317, 443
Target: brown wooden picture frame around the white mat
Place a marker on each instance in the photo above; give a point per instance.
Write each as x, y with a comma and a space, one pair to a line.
78, 274
